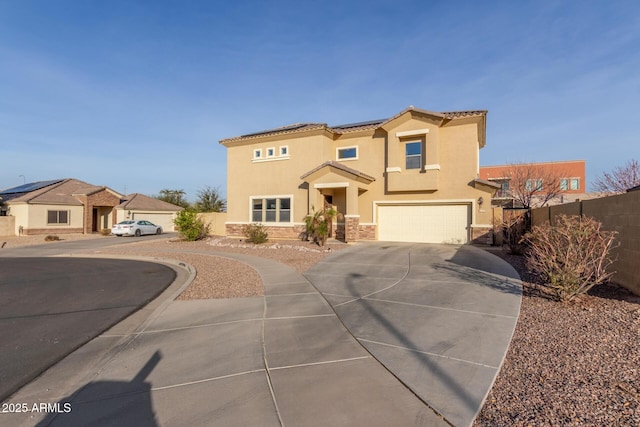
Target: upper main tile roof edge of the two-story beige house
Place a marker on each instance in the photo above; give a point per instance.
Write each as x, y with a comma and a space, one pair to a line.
351, 127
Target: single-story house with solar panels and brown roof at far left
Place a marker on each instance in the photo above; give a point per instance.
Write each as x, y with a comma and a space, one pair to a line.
66, 206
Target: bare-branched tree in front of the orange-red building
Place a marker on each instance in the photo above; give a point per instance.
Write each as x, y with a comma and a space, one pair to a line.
533, 185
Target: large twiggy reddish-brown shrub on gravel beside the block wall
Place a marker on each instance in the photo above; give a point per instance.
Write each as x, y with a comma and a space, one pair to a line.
572, 256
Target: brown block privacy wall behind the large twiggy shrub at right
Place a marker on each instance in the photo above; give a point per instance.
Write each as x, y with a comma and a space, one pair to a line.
619, 213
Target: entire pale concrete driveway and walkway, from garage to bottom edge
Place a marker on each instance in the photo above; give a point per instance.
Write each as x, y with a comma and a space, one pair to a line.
390, 335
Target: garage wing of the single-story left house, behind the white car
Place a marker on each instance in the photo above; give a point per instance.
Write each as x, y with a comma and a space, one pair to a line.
139, 206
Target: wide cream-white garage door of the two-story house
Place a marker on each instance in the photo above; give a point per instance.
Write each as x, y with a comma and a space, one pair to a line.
424, 223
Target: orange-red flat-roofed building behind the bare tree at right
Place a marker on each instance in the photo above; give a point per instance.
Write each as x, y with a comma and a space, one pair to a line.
572, 175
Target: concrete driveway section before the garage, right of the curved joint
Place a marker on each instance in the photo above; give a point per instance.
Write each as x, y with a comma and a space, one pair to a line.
439, 317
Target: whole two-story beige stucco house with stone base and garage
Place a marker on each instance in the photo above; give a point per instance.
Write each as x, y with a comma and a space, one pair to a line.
412, 177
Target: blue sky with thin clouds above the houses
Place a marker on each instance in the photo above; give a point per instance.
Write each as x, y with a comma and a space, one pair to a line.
135, 95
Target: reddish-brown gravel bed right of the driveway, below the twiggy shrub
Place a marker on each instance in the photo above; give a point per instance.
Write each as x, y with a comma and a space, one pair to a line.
569, 364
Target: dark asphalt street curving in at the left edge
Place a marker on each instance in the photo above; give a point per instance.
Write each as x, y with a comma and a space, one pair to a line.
51, 306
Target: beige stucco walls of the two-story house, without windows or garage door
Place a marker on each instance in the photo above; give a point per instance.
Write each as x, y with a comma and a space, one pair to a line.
451, 154
